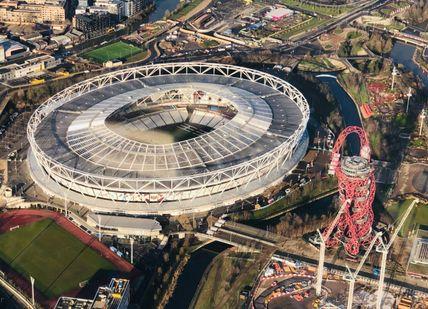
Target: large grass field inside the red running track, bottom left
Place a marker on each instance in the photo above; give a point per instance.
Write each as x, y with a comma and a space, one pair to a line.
55, 258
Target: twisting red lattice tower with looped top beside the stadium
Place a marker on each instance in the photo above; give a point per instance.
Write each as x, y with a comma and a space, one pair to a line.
357, 189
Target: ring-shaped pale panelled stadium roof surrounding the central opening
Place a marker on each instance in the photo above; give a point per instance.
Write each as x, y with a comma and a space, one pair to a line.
77, 134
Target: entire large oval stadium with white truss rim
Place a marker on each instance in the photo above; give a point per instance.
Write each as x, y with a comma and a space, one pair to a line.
172, 138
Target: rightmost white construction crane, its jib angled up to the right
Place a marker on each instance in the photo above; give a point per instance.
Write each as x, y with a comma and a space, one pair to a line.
384, 249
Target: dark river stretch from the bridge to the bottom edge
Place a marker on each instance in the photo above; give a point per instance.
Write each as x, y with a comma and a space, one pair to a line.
189, 279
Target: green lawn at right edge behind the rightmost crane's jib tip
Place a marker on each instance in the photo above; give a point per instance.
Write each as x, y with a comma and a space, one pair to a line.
418, 216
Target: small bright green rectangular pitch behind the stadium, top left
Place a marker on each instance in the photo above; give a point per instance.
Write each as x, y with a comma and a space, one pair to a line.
118, 50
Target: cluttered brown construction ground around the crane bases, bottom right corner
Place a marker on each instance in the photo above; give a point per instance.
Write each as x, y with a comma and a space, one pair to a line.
288, 283
